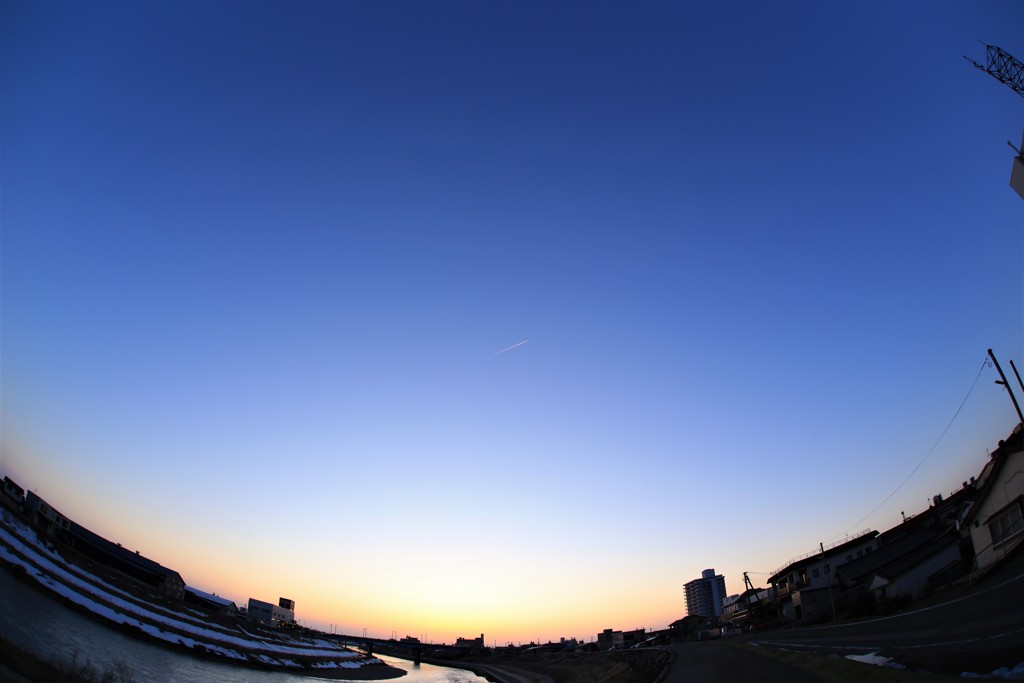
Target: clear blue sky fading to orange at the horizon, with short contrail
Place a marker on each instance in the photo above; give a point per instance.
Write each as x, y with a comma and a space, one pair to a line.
508, 318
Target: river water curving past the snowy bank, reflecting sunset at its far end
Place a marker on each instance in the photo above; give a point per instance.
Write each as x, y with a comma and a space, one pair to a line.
34, 622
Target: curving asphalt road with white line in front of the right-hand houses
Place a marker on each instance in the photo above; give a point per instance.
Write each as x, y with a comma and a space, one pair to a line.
978, 629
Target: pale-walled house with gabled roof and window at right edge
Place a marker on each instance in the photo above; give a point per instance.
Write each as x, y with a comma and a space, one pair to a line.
996, 523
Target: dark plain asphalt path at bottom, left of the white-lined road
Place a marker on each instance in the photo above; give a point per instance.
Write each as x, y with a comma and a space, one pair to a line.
717, 663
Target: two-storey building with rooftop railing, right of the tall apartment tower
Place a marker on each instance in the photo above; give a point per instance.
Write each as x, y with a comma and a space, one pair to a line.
803, 588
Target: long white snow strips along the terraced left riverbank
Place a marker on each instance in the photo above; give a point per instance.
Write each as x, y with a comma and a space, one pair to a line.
21, 547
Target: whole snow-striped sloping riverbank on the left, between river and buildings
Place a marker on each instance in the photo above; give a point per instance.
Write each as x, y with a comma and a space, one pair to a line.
39, 567
